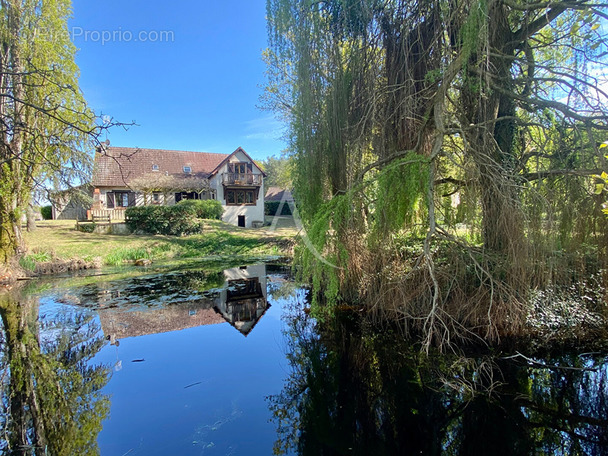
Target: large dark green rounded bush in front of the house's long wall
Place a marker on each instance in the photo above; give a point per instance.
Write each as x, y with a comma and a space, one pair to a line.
174, 220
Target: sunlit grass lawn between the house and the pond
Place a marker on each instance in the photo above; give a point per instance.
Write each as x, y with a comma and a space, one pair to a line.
57, 239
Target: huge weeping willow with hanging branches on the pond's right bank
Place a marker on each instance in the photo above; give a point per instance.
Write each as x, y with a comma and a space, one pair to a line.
439, 148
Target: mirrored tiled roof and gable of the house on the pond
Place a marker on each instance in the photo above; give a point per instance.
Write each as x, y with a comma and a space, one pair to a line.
241, 302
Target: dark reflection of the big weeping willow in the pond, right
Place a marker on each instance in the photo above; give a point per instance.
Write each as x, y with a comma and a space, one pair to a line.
351, 392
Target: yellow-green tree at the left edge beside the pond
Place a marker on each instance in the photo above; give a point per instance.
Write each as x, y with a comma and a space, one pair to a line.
45, 124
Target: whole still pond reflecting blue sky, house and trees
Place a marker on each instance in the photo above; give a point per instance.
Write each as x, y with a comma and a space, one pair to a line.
224, 359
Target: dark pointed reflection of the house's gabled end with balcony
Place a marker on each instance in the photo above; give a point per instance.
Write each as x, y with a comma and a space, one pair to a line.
243, 302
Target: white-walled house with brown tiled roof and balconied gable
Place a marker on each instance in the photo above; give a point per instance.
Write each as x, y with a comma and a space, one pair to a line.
124, 177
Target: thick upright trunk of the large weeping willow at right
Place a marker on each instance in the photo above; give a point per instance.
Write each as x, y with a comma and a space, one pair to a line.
491, 137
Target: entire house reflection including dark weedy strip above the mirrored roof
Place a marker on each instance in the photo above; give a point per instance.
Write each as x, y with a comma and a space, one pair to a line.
169, 302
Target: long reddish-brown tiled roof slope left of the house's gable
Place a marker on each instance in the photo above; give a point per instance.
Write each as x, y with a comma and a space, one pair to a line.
117, 166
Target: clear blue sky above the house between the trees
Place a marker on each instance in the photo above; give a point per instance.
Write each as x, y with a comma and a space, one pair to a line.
189, 73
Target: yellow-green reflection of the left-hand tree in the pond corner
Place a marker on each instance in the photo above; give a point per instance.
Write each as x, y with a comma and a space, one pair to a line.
51, 396
